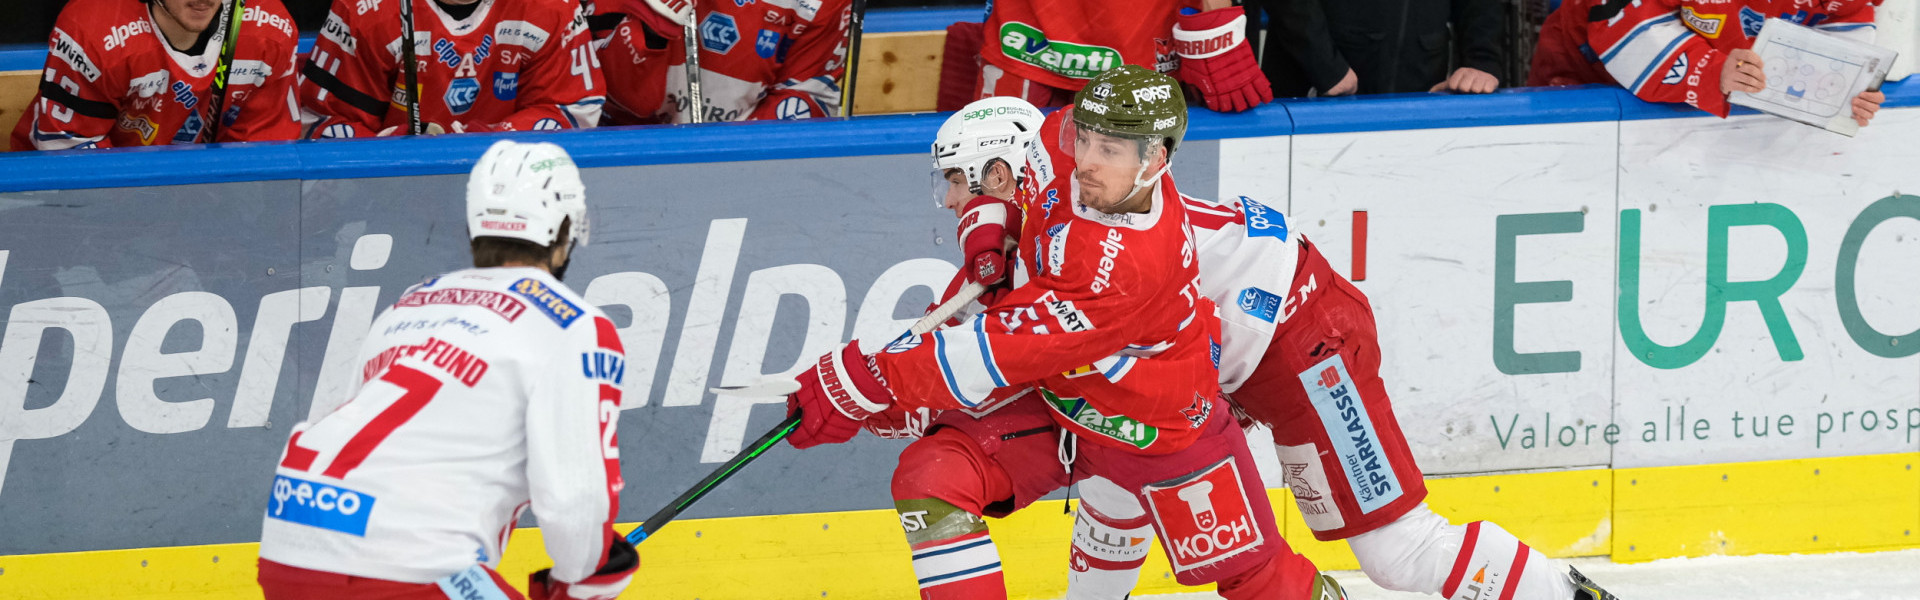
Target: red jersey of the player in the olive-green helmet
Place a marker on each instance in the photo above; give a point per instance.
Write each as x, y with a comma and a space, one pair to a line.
1111, 324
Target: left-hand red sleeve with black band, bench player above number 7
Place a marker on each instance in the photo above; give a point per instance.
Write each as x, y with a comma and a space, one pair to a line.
348, 82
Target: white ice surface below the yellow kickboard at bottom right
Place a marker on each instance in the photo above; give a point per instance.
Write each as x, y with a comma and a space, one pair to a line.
1879, 576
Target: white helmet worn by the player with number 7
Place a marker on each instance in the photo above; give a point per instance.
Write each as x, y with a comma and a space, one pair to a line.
525, 191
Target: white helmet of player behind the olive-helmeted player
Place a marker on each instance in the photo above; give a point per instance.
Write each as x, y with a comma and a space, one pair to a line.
978, 136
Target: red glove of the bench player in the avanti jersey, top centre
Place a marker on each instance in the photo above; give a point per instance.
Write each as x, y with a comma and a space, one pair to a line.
1218, 62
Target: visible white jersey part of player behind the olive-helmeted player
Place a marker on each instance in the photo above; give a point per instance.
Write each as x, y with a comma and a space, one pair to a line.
1247, 266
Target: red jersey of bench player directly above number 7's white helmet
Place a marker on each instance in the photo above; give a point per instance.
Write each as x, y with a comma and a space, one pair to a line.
508, 66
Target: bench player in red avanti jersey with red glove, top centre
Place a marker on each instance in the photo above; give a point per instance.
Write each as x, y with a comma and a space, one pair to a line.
1047, 51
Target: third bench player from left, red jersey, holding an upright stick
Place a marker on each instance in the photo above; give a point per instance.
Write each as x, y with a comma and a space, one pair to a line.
759, 61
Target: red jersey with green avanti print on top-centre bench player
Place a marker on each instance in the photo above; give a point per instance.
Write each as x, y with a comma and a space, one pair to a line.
1063, 43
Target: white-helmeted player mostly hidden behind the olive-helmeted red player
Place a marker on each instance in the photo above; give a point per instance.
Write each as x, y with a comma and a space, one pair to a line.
1297, 339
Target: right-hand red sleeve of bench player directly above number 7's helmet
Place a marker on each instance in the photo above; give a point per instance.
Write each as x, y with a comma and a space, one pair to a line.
562, 87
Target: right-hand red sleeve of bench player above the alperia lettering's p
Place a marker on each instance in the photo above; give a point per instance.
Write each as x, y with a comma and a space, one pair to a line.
811, 74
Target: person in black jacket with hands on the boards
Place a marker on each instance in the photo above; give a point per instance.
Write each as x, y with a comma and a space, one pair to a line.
1381, 47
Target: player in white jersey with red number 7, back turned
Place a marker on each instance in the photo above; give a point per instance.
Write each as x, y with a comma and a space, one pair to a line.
481, 393
